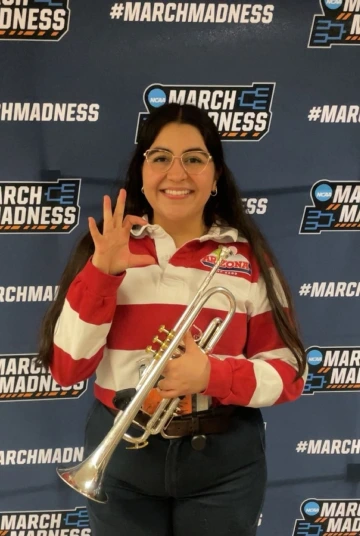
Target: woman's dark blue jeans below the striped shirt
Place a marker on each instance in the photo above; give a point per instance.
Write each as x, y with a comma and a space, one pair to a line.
170, 489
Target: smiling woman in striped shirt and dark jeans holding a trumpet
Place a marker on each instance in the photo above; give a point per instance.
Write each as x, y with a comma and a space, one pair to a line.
131, 274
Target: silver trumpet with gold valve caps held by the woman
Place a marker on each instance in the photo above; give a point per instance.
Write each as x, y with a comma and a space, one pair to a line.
86, 478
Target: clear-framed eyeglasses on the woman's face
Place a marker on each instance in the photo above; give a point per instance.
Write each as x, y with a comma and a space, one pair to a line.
194, 162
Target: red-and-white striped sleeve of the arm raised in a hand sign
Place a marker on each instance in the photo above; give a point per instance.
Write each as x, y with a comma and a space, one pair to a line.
83, 325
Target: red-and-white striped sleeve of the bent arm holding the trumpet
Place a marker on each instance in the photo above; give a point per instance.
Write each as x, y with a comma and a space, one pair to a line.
266, 376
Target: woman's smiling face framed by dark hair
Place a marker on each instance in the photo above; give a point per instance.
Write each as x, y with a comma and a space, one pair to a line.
176, 194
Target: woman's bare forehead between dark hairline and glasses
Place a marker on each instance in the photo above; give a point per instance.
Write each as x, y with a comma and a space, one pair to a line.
179, 137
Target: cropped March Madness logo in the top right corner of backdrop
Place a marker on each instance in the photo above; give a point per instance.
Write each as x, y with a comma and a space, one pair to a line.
339, 24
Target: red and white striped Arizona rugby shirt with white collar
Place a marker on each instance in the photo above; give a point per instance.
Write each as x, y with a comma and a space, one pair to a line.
107, 321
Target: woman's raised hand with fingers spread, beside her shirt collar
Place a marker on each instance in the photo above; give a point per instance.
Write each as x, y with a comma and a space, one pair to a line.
112, 254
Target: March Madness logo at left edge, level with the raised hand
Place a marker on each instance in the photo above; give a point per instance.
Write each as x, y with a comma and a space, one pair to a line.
39, 207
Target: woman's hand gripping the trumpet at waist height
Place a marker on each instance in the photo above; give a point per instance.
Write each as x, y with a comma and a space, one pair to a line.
187, 374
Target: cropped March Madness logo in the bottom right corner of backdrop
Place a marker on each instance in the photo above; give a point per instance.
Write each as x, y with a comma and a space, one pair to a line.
338, 517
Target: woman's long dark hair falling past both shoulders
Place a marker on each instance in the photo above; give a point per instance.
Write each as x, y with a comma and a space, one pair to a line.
217, 208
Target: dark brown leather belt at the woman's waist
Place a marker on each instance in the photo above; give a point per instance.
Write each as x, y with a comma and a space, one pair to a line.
213, 421
